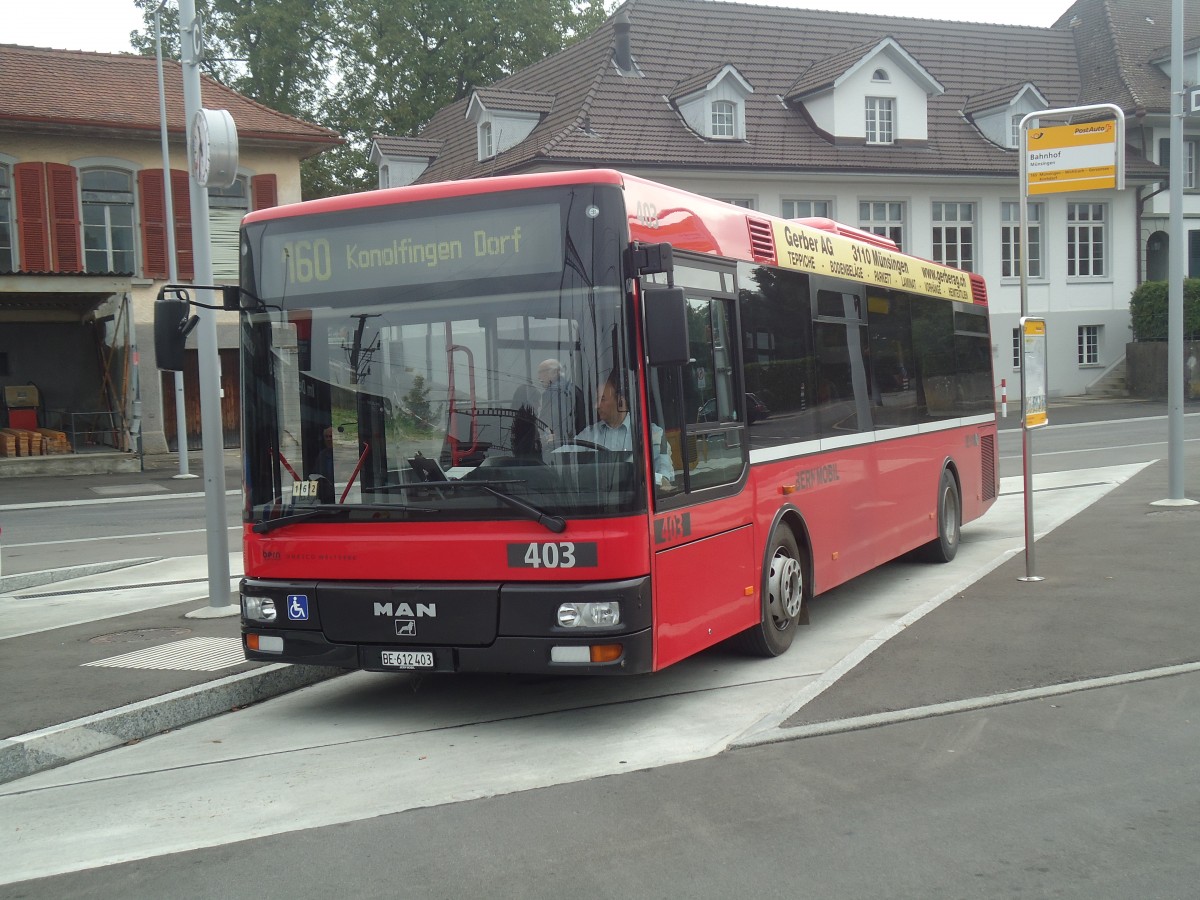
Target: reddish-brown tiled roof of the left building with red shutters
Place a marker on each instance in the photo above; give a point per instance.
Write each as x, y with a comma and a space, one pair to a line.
56, 91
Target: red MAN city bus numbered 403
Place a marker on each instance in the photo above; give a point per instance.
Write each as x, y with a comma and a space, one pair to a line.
584, 423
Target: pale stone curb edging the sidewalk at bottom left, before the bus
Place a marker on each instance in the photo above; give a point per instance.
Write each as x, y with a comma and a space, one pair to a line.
59, 745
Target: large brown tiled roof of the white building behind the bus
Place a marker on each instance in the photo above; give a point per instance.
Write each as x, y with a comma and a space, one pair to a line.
604, 118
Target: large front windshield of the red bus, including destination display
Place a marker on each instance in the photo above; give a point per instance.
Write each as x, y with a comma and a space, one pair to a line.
437, 359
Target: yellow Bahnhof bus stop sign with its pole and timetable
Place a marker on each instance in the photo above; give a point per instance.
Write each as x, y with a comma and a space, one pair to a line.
1084, 154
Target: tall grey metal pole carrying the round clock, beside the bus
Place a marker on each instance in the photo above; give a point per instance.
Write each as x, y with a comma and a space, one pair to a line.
212, 433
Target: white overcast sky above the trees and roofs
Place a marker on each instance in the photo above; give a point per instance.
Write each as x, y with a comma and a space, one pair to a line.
106, 25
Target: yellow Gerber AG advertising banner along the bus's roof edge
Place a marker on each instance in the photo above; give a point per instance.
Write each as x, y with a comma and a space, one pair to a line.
811, 250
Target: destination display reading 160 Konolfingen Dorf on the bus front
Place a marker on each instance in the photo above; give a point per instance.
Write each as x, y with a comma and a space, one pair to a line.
489, 244
